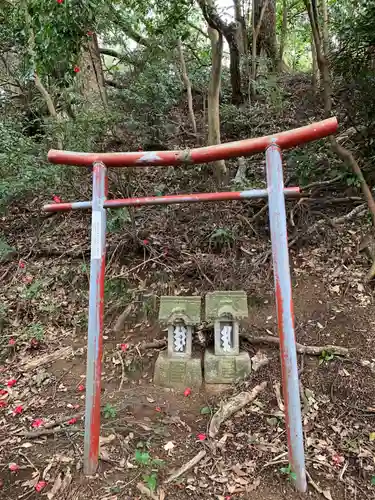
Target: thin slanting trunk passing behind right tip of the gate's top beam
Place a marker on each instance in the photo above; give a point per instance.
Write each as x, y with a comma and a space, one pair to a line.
341, 152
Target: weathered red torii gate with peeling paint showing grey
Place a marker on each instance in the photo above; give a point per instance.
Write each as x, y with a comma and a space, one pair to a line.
275, 192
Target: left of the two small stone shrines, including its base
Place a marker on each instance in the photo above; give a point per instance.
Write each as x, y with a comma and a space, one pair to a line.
176, 367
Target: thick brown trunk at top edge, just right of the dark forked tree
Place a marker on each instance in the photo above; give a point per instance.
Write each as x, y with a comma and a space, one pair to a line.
267, 32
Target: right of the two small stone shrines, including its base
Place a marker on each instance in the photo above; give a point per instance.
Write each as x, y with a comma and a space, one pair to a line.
227, 363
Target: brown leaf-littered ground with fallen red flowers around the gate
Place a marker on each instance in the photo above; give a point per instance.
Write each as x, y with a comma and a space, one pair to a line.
148, 432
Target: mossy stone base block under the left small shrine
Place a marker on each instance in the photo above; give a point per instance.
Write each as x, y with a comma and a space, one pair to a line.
177, 372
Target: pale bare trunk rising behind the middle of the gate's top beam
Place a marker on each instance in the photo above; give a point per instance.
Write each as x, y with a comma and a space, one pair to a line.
213, 99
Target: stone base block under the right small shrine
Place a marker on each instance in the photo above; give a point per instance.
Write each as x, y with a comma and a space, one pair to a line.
226, 369
